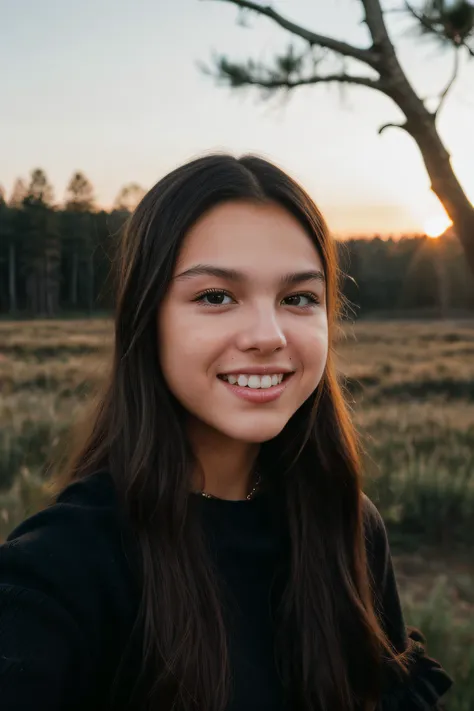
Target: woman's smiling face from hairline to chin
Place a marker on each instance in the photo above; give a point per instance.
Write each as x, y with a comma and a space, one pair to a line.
243, 330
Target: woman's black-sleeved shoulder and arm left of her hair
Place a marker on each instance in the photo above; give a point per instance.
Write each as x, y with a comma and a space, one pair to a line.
67, 599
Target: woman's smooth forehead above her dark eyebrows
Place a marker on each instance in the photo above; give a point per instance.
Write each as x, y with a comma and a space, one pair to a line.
259, 236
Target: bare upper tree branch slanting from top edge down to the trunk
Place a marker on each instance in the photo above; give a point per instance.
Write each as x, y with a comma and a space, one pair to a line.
367, 56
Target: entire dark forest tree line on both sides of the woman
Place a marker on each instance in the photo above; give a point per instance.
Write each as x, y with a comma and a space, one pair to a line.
56, 260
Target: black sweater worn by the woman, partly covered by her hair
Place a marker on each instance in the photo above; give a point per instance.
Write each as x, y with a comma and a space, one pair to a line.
68, 600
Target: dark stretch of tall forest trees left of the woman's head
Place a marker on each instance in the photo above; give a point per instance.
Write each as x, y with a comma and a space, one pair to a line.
57, 258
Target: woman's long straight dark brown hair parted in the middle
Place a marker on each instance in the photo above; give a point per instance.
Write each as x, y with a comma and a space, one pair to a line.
332, 645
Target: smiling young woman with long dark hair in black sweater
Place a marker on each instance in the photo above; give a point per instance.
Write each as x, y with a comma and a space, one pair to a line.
211, 549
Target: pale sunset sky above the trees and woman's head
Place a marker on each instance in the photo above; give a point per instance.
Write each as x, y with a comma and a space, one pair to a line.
112, 88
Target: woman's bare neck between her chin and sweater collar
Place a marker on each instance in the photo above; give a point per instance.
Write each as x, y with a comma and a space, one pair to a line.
225, 467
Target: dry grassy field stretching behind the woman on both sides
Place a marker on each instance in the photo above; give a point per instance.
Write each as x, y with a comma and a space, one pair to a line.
411, 387
